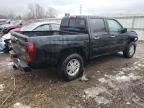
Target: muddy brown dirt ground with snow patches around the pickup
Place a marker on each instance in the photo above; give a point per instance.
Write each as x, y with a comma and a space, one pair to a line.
113, 82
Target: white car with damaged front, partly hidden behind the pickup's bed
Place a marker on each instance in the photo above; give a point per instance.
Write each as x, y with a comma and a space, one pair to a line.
36, 26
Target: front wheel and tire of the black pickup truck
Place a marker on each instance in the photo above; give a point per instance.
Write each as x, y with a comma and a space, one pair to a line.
130, 50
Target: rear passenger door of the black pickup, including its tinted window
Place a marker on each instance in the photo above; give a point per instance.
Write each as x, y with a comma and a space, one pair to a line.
100, 38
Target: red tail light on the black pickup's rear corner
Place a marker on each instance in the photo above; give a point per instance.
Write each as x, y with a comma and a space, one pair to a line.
30, 50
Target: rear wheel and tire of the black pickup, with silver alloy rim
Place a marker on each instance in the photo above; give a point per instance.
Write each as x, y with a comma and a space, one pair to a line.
70, 67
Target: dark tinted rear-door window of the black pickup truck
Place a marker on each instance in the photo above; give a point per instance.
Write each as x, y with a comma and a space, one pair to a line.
97, 25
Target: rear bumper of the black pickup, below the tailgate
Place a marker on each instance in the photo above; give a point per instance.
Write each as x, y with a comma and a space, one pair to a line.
19, 64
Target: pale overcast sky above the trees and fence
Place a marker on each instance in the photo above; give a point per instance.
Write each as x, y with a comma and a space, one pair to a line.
89, 7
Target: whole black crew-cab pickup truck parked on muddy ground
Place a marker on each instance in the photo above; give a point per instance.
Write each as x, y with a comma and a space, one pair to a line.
80, 38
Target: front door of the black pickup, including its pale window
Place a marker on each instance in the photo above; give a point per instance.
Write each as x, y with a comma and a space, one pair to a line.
118, 38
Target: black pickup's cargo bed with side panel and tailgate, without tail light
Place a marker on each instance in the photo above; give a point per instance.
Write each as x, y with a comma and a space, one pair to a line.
48, 45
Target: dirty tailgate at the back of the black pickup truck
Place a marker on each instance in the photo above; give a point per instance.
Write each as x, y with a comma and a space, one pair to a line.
18, 44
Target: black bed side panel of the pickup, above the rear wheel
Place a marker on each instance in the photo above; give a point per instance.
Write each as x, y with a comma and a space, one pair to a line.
49, 48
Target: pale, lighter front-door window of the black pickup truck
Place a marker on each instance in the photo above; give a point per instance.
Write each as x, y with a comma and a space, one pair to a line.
114, 26
